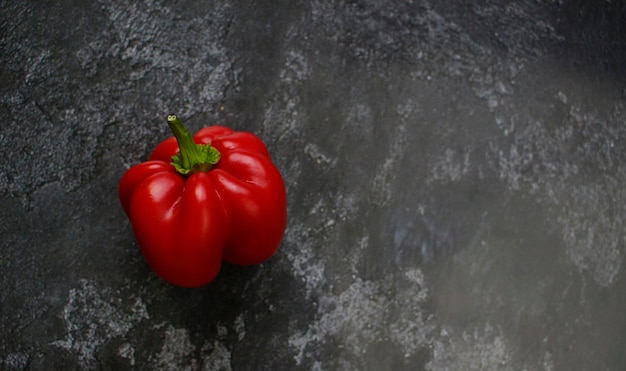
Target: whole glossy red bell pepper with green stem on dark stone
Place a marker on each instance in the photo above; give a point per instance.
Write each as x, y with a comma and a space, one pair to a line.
218, 197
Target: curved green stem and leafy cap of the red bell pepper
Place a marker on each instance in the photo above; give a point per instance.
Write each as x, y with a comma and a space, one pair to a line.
192, 157
